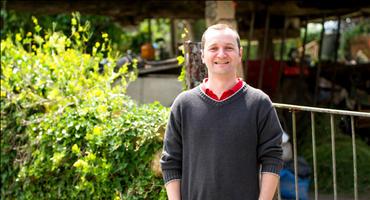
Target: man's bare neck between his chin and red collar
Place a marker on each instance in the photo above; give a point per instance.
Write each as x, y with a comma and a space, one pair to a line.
220, 84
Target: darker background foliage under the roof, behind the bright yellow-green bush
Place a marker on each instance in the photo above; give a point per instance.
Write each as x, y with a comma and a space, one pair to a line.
121, 39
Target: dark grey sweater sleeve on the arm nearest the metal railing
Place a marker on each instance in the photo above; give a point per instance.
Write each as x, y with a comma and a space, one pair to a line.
269, 150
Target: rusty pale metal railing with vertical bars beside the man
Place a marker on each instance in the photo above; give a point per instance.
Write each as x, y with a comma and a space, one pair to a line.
332, 112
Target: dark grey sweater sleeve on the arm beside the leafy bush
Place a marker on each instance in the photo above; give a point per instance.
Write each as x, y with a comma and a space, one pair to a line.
171, 159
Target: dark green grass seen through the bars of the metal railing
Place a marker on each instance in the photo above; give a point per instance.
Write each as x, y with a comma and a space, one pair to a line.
344, 158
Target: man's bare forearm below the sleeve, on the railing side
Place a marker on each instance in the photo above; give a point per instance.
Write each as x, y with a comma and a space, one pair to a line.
269, 183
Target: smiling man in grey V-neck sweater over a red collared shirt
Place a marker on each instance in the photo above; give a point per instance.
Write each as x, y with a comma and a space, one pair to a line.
223, 133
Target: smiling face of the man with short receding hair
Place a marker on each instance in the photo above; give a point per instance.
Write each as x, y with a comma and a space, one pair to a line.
221, 53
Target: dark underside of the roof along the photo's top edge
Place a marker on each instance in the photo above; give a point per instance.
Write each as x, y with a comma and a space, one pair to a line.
132, 12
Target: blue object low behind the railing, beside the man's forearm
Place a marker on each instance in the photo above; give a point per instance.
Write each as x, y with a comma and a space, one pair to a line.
287, 188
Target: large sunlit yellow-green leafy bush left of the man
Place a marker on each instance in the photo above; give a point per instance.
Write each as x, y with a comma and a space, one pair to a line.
66, 131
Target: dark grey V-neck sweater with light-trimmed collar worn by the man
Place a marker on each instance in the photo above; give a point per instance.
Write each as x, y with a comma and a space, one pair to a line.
216, 148
